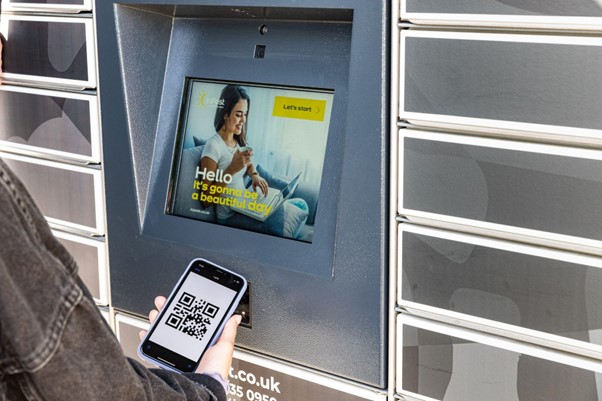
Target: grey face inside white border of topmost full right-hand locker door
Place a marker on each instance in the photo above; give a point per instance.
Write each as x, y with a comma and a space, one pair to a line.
553, 84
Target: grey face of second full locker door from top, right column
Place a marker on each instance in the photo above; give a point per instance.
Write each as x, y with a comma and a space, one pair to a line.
557, 194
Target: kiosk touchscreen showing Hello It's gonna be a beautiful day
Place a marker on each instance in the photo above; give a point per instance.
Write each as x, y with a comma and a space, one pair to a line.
251, 156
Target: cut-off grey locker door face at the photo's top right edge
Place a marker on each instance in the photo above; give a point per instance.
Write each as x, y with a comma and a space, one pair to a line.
578, 8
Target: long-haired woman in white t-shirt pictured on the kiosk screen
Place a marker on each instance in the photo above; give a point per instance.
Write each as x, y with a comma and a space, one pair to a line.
226, 158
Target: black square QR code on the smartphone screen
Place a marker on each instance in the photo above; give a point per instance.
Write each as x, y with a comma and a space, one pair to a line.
192, 316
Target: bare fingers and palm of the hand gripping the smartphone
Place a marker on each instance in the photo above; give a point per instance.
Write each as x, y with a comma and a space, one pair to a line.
218, 358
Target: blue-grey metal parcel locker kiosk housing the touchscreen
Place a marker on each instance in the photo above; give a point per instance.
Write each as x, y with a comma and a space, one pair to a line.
316, 75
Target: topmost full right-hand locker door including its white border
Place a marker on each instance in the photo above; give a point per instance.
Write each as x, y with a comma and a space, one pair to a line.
531, 83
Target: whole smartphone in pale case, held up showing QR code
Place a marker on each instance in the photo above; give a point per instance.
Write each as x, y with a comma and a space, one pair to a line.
193, 317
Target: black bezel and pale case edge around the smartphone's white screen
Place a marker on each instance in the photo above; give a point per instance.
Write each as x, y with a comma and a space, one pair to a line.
163, 355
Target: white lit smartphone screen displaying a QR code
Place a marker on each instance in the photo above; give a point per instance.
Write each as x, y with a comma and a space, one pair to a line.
193, 316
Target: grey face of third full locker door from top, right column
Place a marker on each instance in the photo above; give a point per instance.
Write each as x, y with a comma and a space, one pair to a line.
533, 292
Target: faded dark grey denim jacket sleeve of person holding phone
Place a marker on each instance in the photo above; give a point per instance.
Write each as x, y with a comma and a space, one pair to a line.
54, 344
